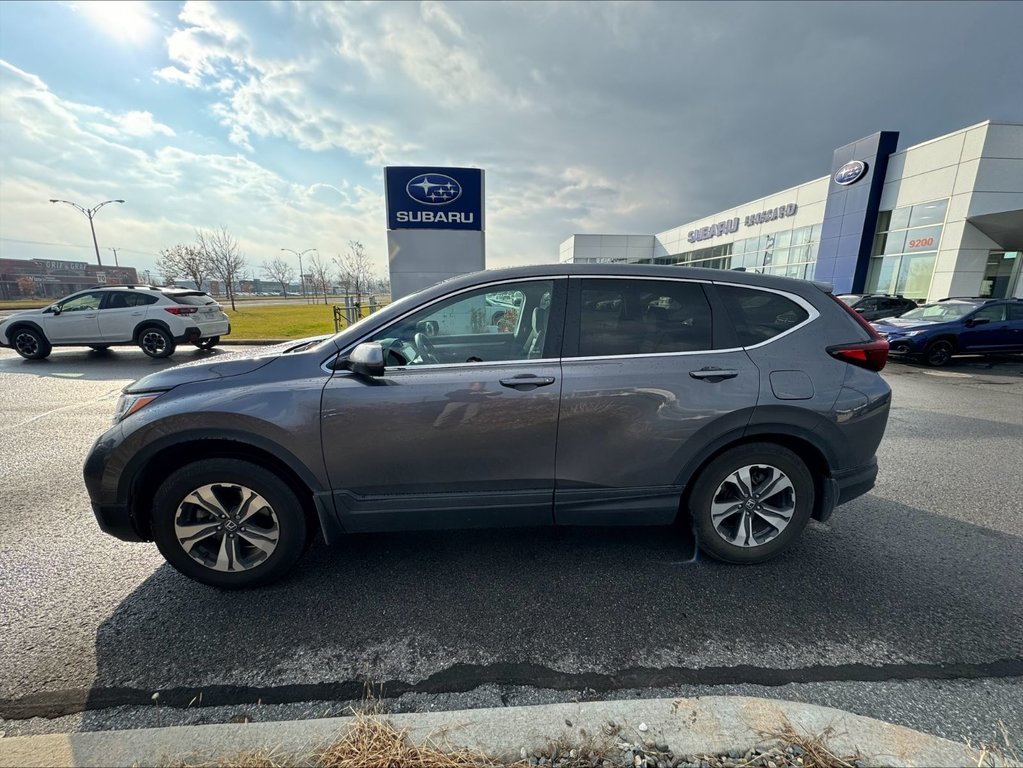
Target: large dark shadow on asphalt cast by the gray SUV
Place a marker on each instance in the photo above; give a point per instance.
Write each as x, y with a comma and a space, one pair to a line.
883, 585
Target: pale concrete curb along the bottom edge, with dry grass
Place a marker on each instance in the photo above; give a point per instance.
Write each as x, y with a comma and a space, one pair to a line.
709, 726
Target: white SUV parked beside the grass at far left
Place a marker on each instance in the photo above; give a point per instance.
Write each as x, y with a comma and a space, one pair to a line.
156, 320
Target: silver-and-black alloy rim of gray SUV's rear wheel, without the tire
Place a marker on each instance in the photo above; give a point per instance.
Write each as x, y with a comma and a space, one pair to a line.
753, 506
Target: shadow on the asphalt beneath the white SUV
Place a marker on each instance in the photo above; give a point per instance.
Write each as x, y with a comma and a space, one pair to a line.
111, 365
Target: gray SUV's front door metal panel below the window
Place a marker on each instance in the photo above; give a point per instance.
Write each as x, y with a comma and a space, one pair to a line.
443, 446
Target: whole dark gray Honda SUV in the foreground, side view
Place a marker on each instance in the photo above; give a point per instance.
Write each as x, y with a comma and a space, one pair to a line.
608, 395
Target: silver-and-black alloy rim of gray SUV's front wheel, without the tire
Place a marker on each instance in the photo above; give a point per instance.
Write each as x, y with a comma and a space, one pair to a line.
227, 527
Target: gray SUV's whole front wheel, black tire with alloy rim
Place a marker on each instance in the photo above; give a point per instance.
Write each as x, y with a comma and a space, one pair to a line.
232, 478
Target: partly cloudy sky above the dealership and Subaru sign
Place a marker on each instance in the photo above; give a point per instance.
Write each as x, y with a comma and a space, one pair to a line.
277, 119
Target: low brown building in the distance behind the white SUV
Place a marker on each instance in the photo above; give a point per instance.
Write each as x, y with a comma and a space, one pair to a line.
50, 279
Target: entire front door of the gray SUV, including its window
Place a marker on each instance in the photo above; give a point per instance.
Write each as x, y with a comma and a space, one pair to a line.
441, 442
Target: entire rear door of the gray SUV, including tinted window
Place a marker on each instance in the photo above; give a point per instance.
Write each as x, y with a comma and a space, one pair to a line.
631, 423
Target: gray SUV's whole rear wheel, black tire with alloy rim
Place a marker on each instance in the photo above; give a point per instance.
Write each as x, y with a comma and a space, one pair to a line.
715, 481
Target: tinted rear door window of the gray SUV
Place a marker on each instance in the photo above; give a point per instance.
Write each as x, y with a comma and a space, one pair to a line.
643, 318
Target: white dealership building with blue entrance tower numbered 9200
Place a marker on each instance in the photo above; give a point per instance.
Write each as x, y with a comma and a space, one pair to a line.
939, 219
